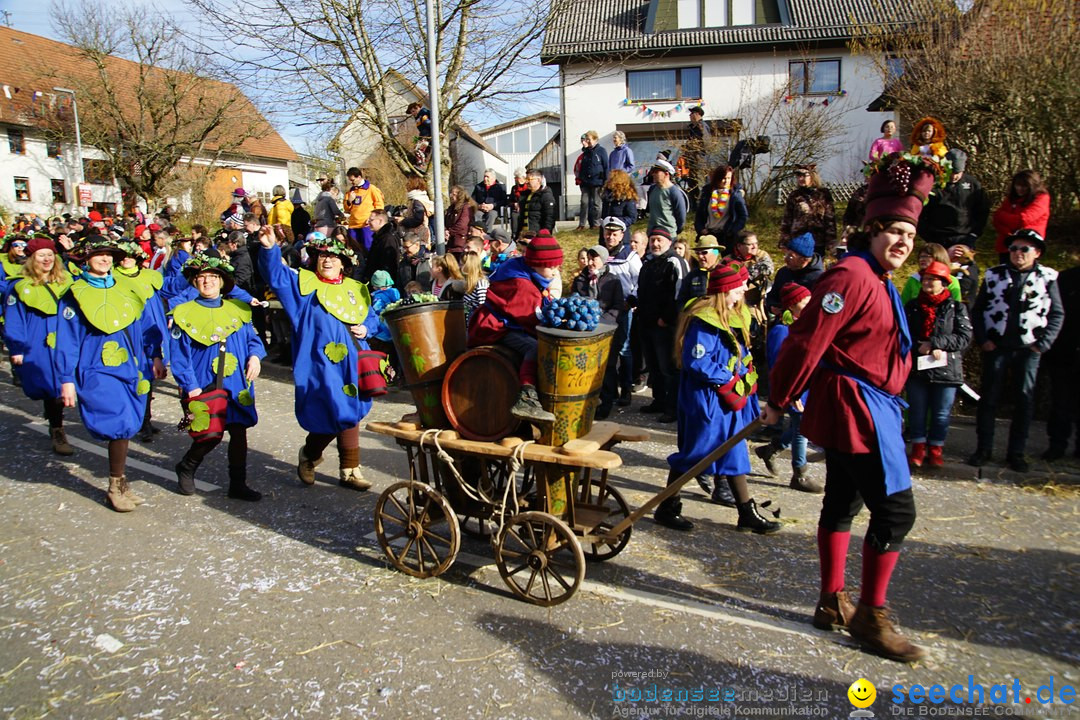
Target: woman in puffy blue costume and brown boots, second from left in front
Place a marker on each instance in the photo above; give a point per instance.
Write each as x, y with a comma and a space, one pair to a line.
101, 339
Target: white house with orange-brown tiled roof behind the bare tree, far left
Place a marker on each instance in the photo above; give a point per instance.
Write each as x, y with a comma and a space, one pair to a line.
39, 173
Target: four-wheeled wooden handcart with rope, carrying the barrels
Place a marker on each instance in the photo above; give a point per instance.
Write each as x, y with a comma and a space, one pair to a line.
547, 510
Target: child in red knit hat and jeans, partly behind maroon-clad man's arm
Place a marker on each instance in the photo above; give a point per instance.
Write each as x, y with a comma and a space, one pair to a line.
793, 300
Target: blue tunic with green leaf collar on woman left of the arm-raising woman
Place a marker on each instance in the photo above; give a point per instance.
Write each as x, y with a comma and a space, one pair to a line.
195, 354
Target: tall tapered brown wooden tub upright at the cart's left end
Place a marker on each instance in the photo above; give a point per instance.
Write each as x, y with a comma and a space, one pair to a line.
428, 338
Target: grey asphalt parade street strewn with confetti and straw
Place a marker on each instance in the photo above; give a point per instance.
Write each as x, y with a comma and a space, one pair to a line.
206, 607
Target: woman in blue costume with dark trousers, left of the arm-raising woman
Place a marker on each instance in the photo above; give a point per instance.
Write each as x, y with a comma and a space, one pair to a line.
200, 330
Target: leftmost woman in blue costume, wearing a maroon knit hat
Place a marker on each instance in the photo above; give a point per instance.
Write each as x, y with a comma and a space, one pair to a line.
31, 322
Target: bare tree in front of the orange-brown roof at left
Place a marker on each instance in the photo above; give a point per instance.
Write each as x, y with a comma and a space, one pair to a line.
145, 101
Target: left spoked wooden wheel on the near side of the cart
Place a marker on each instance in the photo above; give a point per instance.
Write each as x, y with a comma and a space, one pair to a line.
417, 529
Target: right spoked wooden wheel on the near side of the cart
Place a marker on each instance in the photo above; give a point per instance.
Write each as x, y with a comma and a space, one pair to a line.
539, 559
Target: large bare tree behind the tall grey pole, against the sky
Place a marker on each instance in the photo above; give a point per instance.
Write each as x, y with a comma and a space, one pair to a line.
334, 62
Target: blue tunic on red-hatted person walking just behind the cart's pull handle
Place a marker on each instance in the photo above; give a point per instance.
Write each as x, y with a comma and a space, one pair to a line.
705, 424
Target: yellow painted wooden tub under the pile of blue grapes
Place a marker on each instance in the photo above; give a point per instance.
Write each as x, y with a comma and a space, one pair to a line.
571, 371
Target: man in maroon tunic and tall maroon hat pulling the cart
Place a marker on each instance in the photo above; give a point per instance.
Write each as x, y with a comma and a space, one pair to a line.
852, 348
